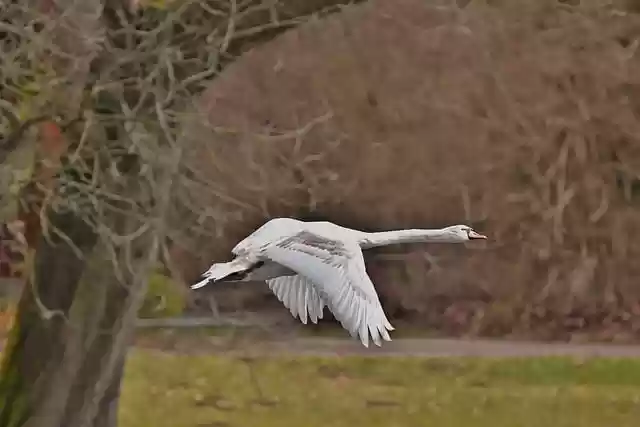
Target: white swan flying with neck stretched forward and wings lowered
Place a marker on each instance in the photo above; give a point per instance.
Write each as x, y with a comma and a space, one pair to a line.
310, 265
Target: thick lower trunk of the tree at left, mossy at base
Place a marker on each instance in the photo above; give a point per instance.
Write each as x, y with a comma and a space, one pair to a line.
68, 337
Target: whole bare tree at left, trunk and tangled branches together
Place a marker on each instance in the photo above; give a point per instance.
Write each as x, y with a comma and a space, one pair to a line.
111, 86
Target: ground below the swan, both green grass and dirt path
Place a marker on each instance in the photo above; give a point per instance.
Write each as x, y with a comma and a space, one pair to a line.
205, 378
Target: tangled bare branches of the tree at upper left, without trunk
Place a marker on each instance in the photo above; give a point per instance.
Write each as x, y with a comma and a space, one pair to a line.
93, 122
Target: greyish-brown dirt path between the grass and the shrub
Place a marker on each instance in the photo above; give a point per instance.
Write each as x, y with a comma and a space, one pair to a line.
185, 336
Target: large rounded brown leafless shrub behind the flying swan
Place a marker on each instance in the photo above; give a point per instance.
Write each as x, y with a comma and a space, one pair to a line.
520, 121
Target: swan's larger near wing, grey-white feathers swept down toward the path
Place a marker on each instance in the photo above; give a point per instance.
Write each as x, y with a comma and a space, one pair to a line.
337, 270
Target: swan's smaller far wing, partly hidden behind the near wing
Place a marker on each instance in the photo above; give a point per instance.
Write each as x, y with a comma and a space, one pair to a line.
299, 296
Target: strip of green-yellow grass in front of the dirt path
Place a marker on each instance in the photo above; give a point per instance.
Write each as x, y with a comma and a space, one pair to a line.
172, 390
